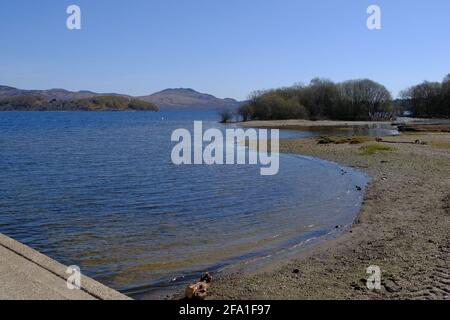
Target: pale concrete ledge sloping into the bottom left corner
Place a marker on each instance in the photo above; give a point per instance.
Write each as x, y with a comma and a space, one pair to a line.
26, 274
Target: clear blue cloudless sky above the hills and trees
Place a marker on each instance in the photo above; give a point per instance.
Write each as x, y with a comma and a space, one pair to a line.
224, 47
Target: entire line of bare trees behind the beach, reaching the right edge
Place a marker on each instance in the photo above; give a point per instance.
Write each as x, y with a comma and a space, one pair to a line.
353, 100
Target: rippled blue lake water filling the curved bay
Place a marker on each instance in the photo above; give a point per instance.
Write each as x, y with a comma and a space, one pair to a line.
99, 190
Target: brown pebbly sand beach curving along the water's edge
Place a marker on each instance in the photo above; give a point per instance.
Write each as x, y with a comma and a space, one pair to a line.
403, 227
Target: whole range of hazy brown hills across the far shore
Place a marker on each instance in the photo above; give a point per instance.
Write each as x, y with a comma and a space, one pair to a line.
169, 99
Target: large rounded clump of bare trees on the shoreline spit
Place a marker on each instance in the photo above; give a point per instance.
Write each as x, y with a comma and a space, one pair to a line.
321, 99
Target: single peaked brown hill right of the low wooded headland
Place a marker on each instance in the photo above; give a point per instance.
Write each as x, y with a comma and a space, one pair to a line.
188, 99
